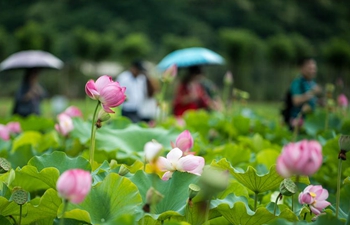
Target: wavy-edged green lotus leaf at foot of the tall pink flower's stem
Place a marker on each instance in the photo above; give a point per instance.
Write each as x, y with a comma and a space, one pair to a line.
60, 161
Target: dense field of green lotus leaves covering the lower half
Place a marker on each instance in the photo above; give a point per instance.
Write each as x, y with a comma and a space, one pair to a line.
239, 183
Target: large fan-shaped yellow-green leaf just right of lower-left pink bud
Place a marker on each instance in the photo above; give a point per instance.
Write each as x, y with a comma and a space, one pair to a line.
114, 197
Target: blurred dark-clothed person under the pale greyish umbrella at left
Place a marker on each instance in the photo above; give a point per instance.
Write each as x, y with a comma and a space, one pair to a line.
29, 95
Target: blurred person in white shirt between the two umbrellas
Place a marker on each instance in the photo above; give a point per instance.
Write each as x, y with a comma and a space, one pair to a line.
138, 91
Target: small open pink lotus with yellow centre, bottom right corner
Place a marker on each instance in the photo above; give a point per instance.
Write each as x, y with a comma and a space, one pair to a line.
315, 197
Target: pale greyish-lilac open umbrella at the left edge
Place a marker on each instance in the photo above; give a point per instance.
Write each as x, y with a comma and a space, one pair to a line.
31, 59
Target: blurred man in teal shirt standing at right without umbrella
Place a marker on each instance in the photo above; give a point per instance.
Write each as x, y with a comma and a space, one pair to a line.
304, 91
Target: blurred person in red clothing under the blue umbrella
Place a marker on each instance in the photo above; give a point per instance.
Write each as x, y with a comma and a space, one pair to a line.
191, 94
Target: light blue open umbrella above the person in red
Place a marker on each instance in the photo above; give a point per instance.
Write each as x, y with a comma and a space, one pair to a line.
190, 57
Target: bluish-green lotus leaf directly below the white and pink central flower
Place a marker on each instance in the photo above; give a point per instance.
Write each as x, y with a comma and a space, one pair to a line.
175, 192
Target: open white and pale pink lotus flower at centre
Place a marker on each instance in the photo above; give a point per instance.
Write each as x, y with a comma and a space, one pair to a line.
174, 161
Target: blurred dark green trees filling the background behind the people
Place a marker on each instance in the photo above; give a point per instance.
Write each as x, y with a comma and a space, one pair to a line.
260, 40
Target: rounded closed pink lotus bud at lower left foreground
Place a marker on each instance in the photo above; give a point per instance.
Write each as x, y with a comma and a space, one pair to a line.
74, 185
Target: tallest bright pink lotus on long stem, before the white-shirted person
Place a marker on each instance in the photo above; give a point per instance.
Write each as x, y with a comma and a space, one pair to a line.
105, 90
